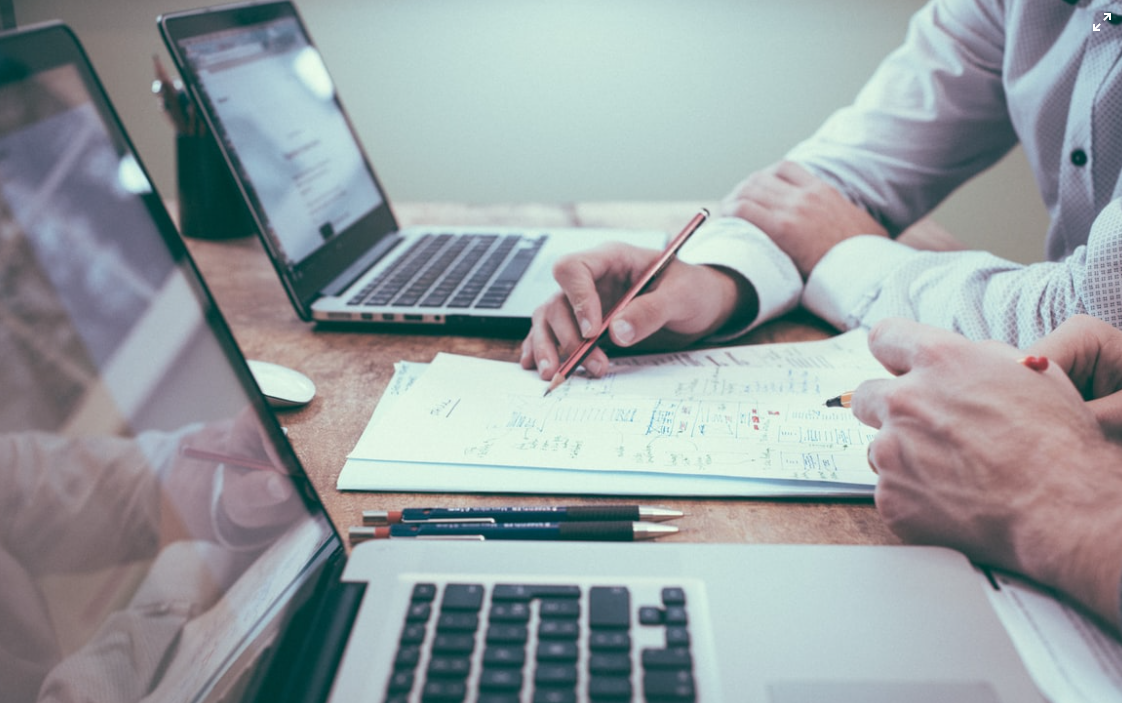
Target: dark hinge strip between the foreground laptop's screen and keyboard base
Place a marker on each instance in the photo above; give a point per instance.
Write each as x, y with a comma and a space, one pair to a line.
304, 668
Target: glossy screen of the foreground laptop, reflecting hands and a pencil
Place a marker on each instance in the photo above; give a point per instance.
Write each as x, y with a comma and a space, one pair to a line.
154, 520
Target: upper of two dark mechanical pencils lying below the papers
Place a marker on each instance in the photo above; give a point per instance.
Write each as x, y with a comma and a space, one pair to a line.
536, 514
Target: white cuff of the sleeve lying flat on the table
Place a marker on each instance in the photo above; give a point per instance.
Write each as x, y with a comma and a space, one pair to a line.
847, 281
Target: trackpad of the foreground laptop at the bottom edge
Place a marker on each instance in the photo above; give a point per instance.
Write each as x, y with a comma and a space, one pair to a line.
881, 692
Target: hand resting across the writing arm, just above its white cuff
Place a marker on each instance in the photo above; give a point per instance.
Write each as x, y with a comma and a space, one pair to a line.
803, 215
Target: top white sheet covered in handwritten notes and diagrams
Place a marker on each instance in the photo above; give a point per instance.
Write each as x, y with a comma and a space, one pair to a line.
746, 412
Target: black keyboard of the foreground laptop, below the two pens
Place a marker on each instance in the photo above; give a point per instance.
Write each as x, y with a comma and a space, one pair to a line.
542, 644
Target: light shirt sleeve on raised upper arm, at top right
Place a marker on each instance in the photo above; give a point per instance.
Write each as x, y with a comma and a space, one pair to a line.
933, 116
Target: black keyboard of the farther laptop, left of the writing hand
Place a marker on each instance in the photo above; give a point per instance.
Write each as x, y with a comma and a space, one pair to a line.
453, 271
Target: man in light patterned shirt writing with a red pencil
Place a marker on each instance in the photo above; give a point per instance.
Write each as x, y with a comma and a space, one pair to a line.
973, 79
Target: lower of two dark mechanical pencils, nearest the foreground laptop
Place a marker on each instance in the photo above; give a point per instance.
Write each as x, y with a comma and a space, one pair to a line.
601, 532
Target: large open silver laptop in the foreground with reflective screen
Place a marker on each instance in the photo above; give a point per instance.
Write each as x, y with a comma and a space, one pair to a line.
162, 542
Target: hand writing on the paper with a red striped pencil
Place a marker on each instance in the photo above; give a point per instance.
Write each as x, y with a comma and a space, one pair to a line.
687, 303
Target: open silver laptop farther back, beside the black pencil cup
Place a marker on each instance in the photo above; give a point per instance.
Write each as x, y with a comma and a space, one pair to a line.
324, 217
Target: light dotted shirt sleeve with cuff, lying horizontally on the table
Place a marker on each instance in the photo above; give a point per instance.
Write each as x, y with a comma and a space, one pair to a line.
977, 294
